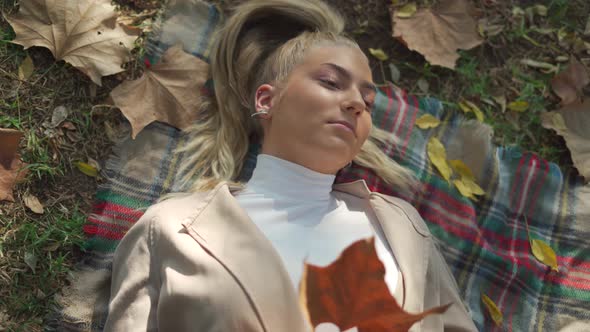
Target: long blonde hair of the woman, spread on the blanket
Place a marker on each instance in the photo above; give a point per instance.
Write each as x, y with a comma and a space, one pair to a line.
261, 43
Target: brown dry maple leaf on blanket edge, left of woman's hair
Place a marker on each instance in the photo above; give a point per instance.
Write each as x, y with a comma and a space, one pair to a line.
167, 92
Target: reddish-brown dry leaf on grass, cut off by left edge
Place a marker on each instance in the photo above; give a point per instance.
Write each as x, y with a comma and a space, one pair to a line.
11, 168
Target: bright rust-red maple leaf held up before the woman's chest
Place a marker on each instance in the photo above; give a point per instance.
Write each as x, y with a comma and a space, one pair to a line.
351, 292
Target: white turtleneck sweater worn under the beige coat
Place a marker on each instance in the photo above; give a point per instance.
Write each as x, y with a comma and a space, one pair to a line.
297, 211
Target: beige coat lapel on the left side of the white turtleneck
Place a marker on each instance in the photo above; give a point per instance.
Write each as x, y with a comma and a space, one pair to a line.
226, 231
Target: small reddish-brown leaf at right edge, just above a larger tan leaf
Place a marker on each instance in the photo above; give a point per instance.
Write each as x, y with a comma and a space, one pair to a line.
569, 83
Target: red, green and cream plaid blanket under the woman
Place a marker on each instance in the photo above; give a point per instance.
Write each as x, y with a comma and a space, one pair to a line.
485, 242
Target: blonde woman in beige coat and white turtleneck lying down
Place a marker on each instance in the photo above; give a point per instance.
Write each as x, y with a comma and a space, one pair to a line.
229, 256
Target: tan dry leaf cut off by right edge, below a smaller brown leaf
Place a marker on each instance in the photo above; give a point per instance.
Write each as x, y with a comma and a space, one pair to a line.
573, 126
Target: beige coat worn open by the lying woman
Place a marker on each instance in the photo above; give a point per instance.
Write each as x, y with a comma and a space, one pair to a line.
198, 263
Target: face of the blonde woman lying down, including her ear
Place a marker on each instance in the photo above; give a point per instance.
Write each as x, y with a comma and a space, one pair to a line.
331, 84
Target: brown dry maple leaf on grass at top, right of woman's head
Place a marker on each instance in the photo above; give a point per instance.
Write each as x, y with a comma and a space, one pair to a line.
439, 31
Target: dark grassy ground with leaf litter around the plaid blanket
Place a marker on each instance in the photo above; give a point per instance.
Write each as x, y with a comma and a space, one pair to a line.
38, 251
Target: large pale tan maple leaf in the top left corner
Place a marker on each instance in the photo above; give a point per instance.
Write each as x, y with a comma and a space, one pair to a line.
84, 33
